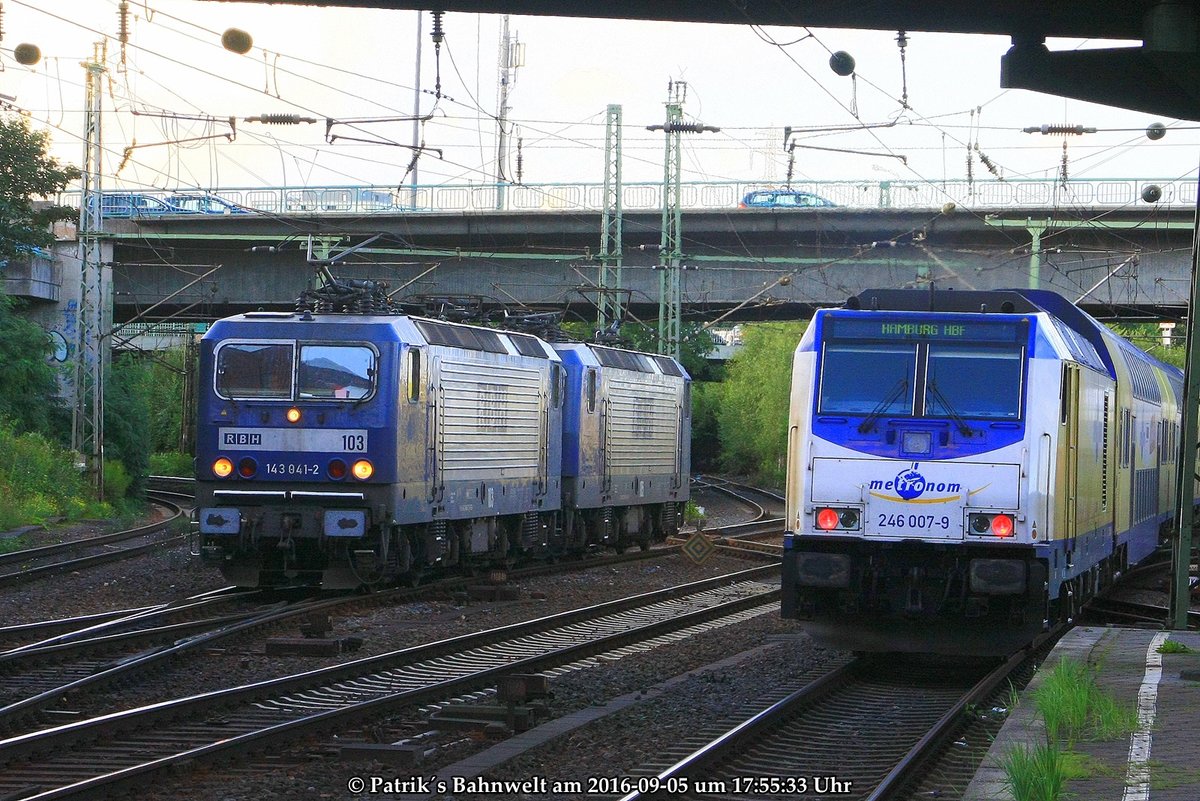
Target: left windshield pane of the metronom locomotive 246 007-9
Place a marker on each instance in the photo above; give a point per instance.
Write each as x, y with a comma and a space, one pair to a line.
866, 378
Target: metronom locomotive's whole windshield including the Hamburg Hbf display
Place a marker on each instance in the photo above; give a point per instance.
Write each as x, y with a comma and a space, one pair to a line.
883, 366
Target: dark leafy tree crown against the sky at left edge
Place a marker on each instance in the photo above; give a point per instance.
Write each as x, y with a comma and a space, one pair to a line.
28, 173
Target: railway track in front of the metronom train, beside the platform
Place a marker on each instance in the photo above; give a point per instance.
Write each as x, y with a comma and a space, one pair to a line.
896, 714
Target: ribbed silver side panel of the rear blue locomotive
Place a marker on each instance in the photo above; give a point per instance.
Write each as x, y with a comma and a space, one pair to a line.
644, 426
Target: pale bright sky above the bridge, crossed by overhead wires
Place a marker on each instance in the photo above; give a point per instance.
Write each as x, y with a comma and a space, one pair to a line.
173, 82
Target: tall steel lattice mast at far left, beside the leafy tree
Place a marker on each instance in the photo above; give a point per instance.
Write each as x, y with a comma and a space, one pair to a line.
88, 420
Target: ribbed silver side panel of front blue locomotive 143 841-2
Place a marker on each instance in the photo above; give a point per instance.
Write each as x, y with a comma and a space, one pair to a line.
489, 420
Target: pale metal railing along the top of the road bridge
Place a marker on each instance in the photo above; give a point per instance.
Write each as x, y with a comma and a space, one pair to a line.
698, 196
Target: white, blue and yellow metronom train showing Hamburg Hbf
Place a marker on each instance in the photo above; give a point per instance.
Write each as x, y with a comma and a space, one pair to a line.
968, 467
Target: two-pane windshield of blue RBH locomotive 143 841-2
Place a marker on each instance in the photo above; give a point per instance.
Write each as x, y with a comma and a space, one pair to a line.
265, 371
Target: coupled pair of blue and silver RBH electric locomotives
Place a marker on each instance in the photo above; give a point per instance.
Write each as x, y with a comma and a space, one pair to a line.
347, 450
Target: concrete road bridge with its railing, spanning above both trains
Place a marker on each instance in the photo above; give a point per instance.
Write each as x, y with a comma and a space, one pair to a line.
1097, 243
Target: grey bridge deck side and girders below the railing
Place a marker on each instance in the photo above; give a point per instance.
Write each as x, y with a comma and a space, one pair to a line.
749, 264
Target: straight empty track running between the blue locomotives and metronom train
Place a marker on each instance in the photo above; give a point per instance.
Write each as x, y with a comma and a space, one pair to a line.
100, 755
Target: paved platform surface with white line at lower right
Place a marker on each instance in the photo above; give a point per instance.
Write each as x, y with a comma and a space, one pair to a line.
1161, 762
